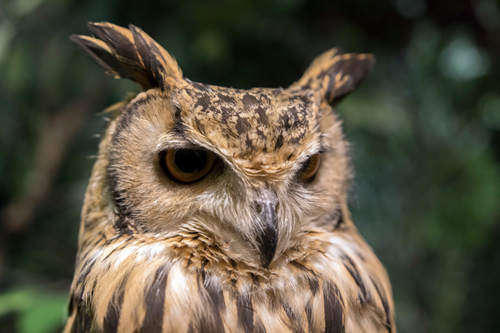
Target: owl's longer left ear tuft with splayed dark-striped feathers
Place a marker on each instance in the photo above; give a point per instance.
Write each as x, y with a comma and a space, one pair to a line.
129, 53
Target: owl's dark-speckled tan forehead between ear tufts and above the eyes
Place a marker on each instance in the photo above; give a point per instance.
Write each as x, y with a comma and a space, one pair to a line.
250, 124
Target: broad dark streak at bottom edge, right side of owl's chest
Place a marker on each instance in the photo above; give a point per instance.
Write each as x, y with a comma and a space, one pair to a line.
333, 308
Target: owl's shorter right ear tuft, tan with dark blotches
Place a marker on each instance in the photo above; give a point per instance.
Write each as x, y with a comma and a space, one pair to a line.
335, 74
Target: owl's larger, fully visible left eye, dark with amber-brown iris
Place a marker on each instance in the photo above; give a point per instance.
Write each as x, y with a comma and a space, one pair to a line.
186, 165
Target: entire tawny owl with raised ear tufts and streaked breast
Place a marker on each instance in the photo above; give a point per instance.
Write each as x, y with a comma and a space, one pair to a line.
214, 209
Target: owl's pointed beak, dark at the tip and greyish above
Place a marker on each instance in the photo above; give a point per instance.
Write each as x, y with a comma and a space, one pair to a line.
267, 235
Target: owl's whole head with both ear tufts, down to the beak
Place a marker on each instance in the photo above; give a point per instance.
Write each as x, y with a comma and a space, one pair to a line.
251, 170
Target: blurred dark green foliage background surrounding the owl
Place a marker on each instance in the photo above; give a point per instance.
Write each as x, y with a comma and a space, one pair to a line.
425, 133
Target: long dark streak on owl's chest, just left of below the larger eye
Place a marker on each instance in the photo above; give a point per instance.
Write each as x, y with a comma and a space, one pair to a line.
155, 301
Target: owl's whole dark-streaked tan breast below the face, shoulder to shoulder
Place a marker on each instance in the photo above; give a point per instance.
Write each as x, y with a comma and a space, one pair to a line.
144, 289
